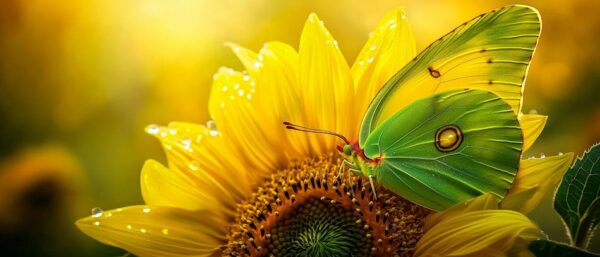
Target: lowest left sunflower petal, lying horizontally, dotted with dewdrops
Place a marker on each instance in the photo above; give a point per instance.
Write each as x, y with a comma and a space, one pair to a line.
158, 231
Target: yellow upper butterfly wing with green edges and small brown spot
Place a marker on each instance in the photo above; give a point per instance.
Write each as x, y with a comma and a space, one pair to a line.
491, 52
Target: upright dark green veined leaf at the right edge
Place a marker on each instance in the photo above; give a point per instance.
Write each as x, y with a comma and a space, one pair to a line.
577, 199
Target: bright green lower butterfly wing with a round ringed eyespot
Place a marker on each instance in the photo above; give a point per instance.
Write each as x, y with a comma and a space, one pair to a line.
416, 166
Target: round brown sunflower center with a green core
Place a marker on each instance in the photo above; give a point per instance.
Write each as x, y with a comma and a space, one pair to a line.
308, 210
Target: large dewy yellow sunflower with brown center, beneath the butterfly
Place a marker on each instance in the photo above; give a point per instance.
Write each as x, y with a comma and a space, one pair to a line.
243, 186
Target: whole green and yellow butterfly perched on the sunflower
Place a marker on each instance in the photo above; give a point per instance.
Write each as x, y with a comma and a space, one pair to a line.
461, 138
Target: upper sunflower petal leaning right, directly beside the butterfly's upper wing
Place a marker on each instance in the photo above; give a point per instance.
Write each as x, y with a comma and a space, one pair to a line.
389, 48
